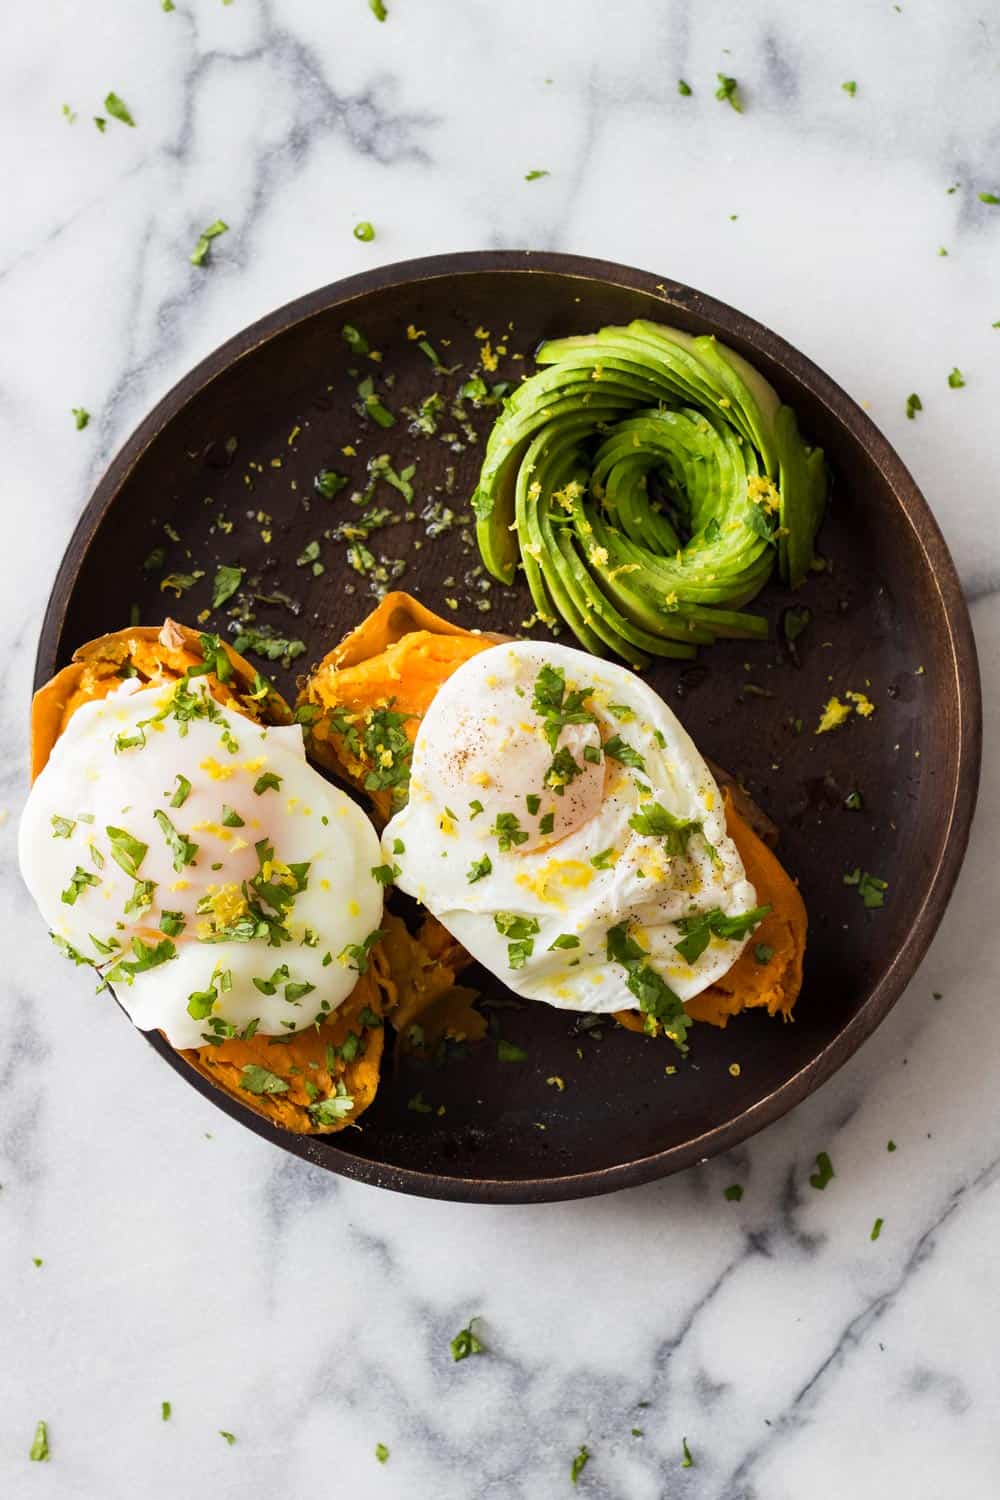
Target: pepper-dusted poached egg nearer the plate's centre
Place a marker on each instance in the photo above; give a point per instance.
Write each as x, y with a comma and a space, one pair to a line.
482, 743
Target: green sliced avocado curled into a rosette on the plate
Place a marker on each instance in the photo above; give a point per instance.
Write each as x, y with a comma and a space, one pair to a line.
648, 482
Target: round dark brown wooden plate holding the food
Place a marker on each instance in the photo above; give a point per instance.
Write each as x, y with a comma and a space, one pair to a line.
888, 619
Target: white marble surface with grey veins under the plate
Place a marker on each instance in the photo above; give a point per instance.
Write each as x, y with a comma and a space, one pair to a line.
187, 1261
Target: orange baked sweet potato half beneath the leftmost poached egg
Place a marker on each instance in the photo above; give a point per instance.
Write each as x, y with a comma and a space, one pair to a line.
163, 655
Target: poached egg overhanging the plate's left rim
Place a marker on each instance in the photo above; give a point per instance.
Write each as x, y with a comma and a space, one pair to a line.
94, 784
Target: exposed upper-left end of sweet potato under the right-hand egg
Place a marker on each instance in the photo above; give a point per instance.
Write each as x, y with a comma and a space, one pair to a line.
395, 659
